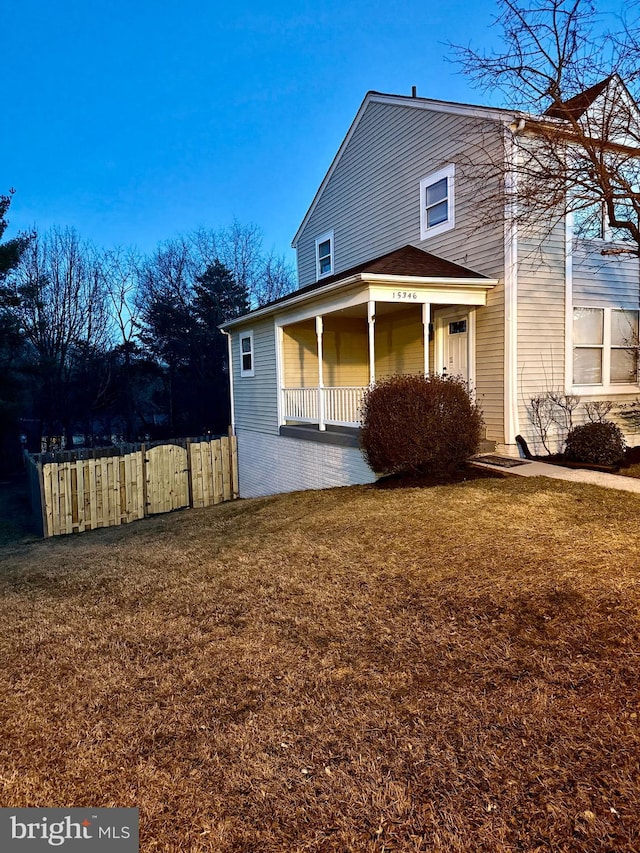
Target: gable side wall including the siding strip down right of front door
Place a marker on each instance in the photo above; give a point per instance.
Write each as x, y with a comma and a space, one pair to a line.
372, 203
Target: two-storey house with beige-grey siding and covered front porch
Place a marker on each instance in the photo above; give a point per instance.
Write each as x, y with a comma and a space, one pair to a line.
407, 265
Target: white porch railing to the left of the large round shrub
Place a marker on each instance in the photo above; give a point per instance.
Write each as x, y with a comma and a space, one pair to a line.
340, 406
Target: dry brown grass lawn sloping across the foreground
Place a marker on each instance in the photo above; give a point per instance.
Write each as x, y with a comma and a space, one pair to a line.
443, 669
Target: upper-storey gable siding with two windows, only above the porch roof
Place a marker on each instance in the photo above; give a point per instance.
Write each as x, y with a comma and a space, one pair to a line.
372, 200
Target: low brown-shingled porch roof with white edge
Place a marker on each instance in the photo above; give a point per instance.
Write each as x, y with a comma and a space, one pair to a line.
409, 262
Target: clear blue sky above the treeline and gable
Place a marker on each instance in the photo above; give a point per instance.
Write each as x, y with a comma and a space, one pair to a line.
135, 121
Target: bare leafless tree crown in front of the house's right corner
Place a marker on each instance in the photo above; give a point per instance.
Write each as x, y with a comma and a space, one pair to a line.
575, 139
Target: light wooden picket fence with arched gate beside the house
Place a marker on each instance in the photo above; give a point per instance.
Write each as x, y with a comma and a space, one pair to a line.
76, 491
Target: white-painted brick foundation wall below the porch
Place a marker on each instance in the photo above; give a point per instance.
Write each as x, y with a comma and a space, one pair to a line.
271, 464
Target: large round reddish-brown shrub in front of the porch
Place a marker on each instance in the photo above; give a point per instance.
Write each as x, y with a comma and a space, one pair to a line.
419, 425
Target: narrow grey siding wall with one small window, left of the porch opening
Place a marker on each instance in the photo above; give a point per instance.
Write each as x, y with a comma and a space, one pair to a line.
256, 397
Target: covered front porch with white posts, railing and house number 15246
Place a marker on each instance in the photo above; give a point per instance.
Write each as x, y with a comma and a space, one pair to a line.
329, 358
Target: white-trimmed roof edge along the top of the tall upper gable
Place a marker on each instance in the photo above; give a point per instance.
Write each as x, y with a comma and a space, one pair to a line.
410, 101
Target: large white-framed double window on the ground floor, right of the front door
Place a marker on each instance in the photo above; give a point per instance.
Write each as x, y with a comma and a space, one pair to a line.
605, 346
